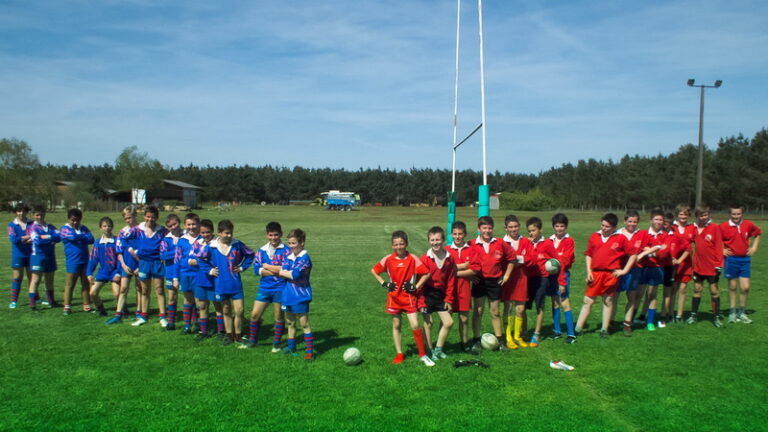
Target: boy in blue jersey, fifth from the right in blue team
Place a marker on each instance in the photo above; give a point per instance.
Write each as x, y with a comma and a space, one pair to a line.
185, 273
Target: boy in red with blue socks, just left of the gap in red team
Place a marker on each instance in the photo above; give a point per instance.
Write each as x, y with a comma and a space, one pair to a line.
565, 249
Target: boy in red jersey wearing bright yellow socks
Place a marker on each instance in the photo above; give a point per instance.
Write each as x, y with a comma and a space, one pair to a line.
515, 291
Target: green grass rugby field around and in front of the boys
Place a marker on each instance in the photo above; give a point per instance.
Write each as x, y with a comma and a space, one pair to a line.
75, 373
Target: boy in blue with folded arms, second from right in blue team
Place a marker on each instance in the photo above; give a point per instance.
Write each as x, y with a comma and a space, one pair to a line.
271, 286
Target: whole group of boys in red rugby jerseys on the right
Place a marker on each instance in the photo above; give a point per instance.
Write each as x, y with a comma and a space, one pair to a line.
516, 272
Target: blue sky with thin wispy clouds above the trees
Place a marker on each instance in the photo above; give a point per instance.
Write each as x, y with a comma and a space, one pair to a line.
351, 84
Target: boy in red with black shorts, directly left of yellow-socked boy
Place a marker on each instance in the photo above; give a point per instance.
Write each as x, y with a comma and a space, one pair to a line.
493, 263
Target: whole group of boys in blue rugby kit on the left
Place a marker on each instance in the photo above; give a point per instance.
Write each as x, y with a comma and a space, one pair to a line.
207, 268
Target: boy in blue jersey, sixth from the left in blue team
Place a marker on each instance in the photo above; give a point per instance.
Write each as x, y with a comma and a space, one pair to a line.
148, 236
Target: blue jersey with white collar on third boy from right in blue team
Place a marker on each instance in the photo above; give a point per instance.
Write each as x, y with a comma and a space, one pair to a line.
227, 259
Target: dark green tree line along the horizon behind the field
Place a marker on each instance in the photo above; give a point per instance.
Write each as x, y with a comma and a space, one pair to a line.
736, 171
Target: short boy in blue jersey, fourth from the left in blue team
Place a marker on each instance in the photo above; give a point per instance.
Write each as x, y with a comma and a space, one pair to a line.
104, 256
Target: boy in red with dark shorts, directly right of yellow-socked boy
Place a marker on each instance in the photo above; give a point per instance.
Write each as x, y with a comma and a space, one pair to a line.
543, 250
